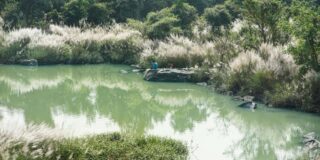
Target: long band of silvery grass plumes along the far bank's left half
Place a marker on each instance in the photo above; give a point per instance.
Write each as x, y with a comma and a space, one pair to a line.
57, 36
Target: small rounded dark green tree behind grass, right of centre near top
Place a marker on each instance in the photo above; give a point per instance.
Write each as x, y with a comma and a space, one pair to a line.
217, 16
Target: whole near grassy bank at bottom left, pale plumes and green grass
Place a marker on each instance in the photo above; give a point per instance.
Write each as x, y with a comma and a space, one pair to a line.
36, 145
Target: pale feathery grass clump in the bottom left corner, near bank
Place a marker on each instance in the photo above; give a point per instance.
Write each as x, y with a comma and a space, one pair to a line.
30, 138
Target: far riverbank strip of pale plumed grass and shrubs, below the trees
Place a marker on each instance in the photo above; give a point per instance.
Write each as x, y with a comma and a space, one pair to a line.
269, 73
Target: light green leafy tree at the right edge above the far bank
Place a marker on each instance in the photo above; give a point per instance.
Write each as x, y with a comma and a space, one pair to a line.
304, 25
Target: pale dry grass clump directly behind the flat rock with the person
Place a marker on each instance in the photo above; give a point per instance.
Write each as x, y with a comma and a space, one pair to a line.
184, 52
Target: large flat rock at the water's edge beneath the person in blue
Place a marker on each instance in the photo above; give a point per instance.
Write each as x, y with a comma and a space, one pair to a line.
169, 75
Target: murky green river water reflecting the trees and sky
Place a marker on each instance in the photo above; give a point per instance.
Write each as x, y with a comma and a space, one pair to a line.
91, 99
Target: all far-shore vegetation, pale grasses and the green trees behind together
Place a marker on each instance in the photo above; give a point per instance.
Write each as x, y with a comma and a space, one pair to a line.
267, 49
